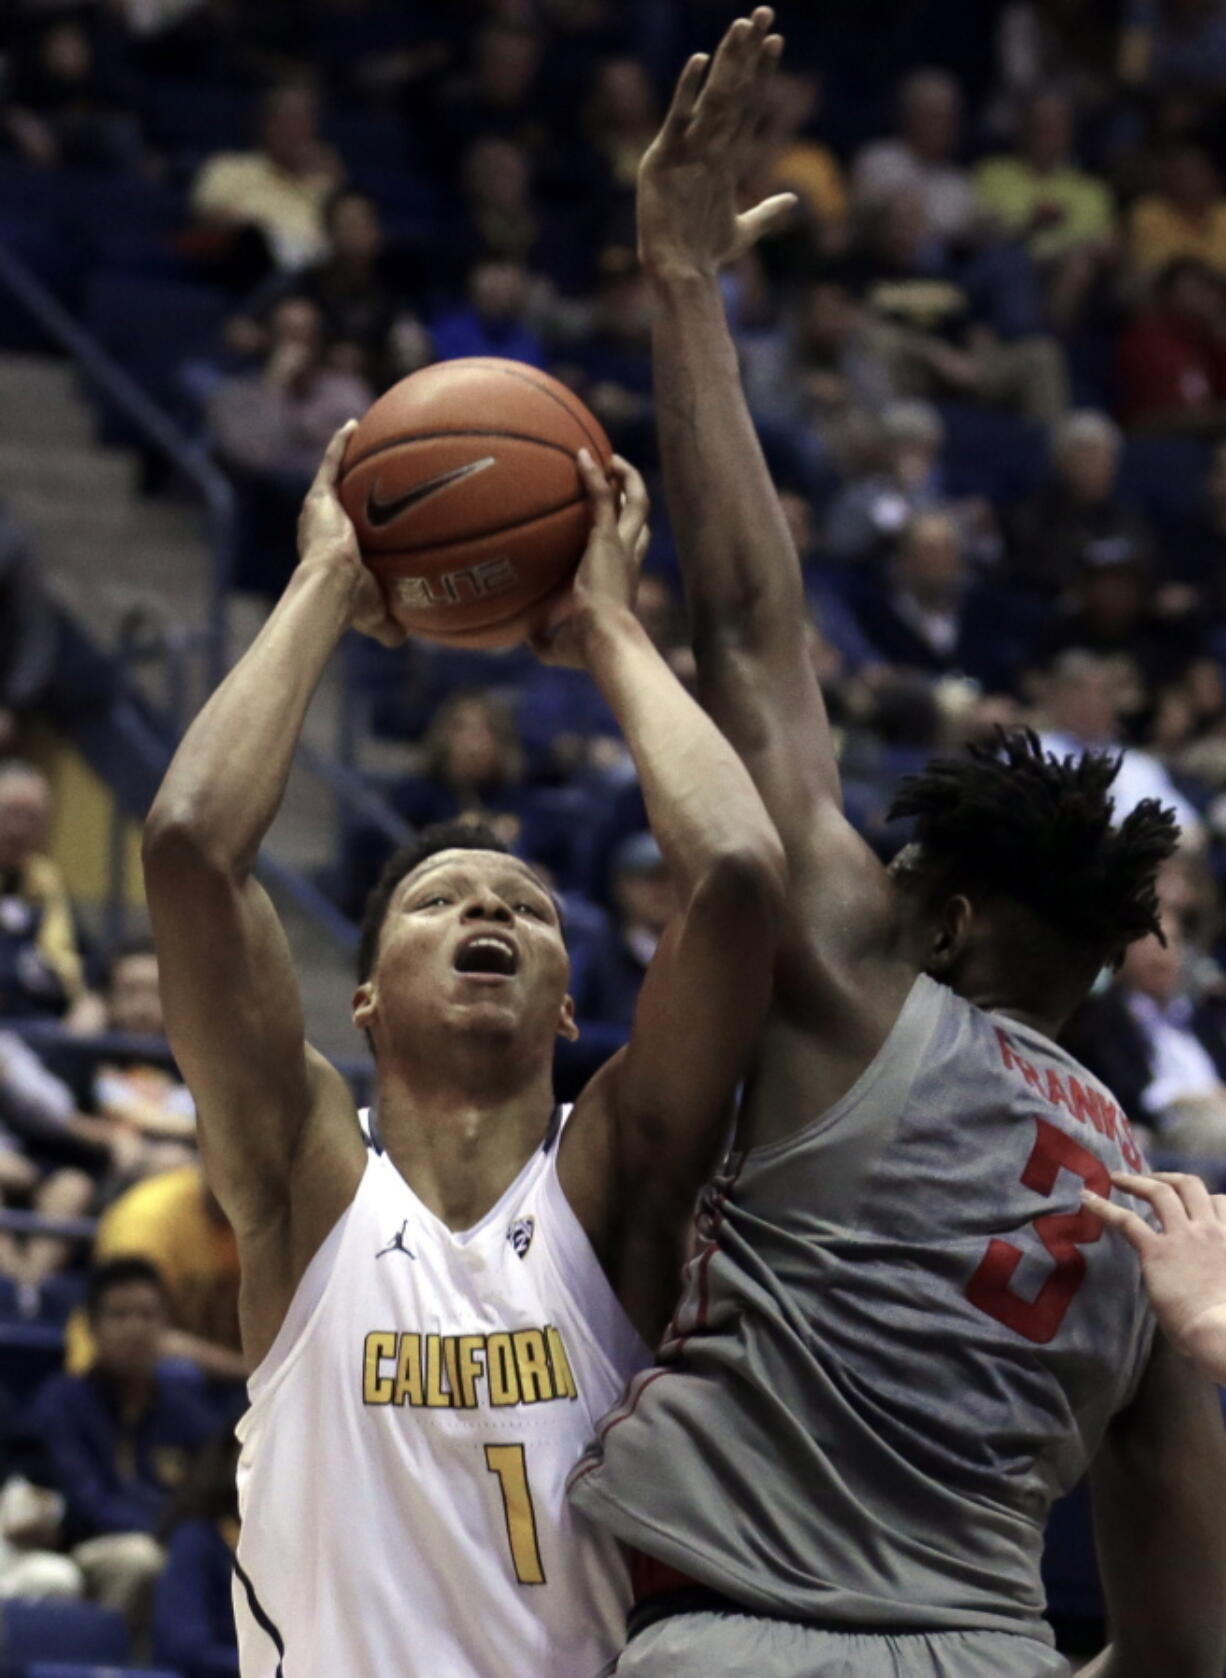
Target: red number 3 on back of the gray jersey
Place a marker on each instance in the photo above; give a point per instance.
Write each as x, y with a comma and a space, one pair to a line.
1062, 1232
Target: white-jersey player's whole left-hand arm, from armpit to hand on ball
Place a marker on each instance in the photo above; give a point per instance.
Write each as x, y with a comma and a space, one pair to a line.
273, 1115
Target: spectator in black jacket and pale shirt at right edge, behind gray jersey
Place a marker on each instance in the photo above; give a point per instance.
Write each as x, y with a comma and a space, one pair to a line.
1160, 1048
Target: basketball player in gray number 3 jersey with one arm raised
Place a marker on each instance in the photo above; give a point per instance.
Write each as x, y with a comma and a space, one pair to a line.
903, 1337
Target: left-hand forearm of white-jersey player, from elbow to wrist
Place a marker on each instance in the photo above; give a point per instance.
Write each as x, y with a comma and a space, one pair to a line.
229, 776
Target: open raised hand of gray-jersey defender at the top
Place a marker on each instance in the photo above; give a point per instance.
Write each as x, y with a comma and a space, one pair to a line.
688, 179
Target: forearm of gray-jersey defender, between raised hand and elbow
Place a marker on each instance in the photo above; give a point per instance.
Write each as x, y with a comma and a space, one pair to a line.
735, 548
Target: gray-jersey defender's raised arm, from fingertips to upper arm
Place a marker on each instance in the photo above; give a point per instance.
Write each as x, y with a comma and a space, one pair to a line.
740, 566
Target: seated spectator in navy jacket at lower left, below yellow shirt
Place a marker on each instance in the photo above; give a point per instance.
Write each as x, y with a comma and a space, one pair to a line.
118, 1439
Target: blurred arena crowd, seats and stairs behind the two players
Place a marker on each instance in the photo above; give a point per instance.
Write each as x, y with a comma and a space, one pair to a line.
989, 368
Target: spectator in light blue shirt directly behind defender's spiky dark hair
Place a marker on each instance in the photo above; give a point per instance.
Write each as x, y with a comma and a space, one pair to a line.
1081, 712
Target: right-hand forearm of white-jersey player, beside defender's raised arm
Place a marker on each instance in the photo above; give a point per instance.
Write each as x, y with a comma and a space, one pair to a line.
702, 803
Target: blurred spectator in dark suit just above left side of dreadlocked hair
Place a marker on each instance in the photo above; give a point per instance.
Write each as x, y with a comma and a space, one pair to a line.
925, 613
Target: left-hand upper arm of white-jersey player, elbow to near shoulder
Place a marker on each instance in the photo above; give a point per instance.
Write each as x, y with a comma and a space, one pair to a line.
234, 1021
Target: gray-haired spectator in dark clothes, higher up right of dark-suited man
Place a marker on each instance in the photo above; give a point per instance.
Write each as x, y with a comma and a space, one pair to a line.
1079, 518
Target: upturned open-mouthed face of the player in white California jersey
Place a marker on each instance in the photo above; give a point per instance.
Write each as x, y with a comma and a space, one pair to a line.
474, 942
